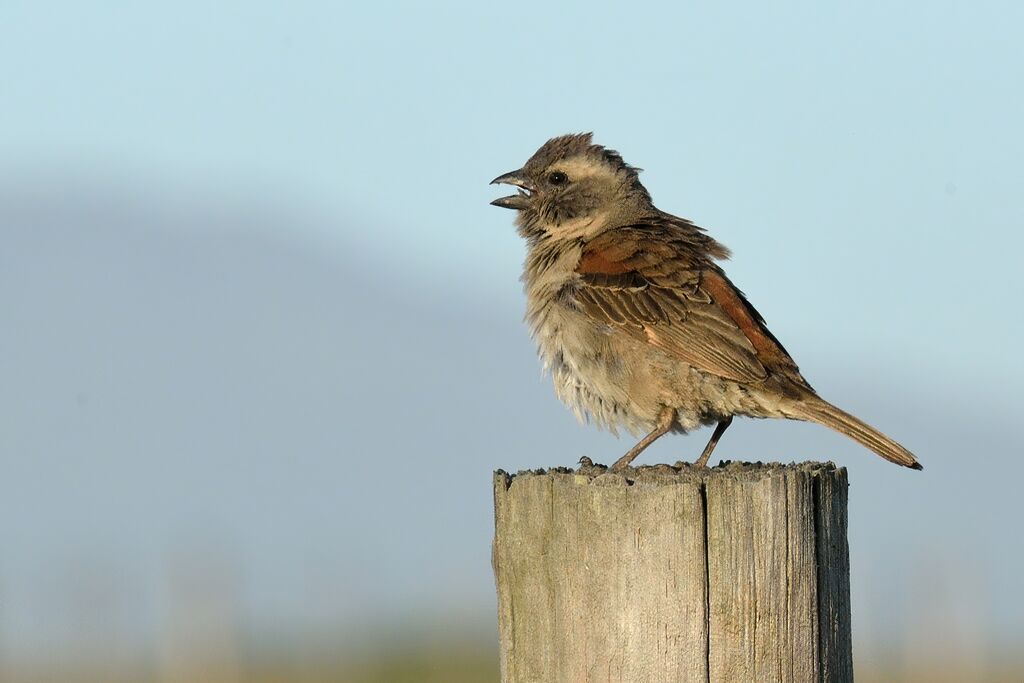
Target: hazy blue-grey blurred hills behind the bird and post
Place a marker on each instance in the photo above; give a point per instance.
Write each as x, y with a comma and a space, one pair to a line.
201, 400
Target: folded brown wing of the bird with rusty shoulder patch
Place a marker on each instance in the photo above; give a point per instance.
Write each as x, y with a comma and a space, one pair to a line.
659, 285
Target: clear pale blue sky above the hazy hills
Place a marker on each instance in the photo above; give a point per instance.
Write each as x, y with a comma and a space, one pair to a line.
885, 136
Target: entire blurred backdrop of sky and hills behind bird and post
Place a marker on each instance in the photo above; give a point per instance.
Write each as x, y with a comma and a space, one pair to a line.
261, 338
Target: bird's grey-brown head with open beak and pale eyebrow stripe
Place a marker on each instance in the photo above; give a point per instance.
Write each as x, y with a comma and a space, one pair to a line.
572, 187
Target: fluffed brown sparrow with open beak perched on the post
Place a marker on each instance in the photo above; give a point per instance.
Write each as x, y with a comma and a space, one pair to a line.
636, 321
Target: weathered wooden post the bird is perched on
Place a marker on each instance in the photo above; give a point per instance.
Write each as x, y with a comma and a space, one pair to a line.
670, 574
